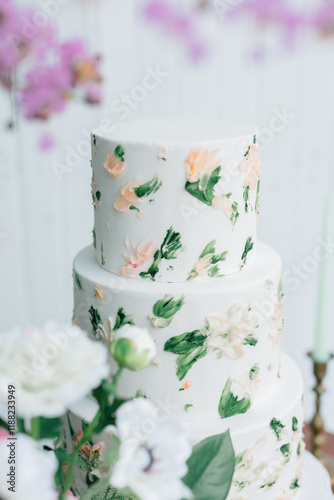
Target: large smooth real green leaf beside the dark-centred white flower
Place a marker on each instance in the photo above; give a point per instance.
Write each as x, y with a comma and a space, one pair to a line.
211, 468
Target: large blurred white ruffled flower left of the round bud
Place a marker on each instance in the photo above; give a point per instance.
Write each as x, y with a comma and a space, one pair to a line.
50, 368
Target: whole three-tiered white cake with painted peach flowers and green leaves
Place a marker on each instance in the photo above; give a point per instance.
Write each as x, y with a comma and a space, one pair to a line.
176, 205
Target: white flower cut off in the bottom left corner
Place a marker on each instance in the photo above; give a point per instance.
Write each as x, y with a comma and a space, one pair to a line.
35, 472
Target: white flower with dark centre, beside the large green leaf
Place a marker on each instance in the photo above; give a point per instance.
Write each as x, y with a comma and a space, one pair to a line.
153, 453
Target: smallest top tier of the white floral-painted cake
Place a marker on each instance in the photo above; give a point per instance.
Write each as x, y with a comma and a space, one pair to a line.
175, 200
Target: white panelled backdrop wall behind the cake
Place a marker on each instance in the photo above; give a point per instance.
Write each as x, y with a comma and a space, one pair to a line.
44, 222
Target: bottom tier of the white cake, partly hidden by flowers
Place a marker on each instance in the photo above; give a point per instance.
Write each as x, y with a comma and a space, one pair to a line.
268, 440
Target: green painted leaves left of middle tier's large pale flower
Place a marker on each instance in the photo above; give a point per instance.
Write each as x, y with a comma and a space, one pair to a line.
190, 348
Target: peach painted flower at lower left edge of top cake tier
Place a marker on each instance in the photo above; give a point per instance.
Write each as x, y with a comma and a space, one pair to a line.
136, 257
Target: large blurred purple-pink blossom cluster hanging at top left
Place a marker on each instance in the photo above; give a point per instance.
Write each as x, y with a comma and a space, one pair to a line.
42, 74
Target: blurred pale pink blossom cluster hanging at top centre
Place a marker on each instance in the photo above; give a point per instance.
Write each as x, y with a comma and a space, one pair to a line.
179, 25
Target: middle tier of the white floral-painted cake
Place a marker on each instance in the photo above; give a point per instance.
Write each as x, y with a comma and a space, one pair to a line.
218, 342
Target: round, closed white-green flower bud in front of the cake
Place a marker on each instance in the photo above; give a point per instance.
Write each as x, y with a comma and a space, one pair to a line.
133, 347
